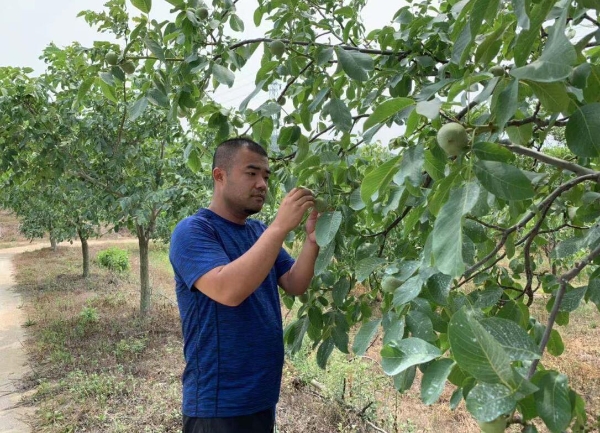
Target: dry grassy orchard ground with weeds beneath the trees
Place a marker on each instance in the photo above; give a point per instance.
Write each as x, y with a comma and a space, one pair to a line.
96, 366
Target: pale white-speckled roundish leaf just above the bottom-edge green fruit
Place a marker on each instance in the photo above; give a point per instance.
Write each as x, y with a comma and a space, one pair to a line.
488, 401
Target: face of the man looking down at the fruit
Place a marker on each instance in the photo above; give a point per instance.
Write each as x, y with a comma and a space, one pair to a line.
245, 183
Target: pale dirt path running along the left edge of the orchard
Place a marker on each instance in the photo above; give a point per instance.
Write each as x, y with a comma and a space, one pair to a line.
13, 364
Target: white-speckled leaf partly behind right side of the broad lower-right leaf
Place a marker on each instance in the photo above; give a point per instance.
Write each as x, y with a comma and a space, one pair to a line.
516, 342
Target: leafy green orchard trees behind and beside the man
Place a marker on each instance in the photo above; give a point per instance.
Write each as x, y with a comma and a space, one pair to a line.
452, 253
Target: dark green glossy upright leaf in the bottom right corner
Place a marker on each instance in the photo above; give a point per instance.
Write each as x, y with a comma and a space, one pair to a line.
552, 401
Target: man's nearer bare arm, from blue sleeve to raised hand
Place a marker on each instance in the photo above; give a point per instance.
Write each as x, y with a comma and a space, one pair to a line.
232, 283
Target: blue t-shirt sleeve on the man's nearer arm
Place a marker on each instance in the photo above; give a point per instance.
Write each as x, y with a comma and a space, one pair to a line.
195, 250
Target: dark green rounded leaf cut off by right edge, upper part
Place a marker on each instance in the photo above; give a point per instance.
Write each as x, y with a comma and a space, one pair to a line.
583, 131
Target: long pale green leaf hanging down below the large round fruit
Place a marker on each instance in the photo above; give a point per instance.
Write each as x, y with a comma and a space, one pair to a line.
447, 234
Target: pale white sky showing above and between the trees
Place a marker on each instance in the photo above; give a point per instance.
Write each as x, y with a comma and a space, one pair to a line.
28, 26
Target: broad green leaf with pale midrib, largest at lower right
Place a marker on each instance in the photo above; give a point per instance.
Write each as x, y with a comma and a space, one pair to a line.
476, 351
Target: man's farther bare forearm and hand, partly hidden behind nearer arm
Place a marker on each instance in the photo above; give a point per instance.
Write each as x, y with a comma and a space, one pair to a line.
298, 278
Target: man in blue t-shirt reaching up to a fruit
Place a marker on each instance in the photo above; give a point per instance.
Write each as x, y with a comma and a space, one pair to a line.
227, 269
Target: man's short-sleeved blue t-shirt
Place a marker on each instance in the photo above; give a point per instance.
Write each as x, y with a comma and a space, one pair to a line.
234, 355
